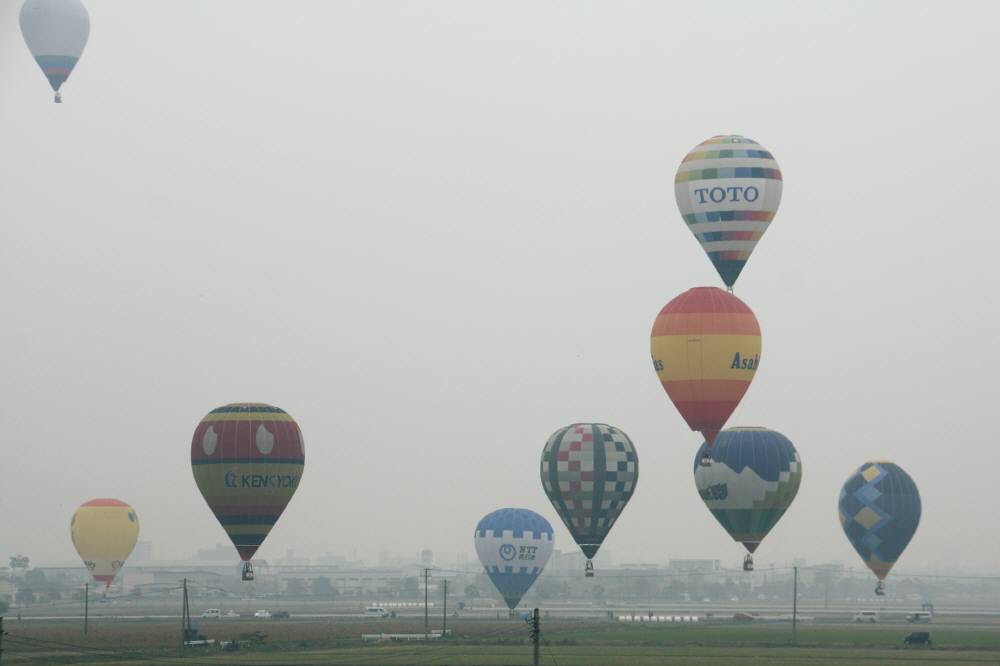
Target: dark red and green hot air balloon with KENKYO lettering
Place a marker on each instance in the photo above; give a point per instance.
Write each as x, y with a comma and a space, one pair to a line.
247, 460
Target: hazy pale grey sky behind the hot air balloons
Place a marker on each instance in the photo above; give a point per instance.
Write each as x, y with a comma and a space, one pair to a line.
436, 232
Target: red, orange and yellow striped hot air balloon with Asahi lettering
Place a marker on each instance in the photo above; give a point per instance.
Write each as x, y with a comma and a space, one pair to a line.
706, 349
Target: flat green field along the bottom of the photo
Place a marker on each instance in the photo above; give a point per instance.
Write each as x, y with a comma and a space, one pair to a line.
502, 644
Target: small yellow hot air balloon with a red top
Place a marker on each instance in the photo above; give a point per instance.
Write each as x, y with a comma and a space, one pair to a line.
104, 532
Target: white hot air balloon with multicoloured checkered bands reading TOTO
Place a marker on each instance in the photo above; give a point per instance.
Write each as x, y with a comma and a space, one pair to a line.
728, 189
